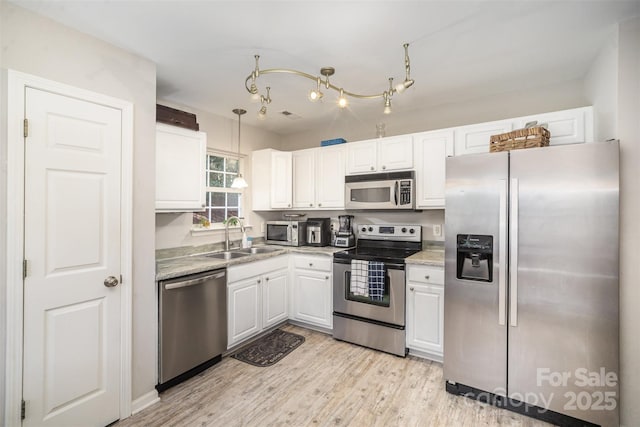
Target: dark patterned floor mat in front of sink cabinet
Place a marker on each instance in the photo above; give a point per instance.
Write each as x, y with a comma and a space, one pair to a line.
269, 349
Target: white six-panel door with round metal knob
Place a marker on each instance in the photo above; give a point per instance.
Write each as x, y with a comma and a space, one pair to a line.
72, 246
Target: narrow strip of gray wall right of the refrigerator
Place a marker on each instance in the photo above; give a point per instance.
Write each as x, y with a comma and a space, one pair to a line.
629, 134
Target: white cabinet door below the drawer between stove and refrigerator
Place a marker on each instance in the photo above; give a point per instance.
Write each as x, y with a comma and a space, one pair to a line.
425, 310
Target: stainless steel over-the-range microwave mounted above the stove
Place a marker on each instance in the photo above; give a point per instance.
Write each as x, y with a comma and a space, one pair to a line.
392, 190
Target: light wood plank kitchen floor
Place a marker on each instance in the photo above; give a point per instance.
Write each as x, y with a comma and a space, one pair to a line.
323, 382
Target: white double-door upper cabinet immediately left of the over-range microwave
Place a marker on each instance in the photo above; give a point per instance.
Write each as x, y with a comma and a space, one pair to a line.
318, 178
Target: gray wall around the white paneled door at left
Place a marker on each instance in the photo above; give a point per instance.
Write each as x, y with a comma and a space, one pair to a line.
41, 47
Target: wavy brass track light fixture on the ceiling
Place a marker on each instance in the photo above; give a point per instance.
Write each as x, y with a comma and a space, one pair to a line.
315, 94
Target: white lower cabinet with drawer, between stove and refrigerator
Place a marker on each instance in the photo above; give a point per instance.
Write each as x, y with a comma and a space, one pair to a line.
425, 311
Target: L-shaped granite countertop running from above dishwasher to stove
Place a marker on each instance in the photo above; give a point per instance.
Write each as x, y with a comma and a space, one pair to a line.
169, 268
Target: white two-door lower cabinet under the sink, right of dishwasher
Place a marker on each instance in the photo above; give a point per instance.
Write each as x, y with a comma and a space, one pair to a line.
257, 295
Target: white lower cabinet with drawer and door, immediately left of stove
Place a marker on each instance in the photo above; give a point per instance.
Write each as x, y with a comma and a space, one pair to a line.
312, 290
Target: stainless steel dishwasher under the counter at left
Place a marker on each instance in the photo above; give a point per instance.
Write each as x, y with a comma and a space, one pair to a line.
192, 325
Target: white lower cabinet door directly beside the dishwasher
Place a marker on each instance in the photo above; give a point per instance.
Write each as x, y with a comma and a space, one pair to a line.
244, 311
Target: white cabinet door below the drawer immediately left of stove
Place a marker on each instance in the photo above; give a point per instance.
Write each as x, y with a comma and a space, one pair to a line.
313, 295
